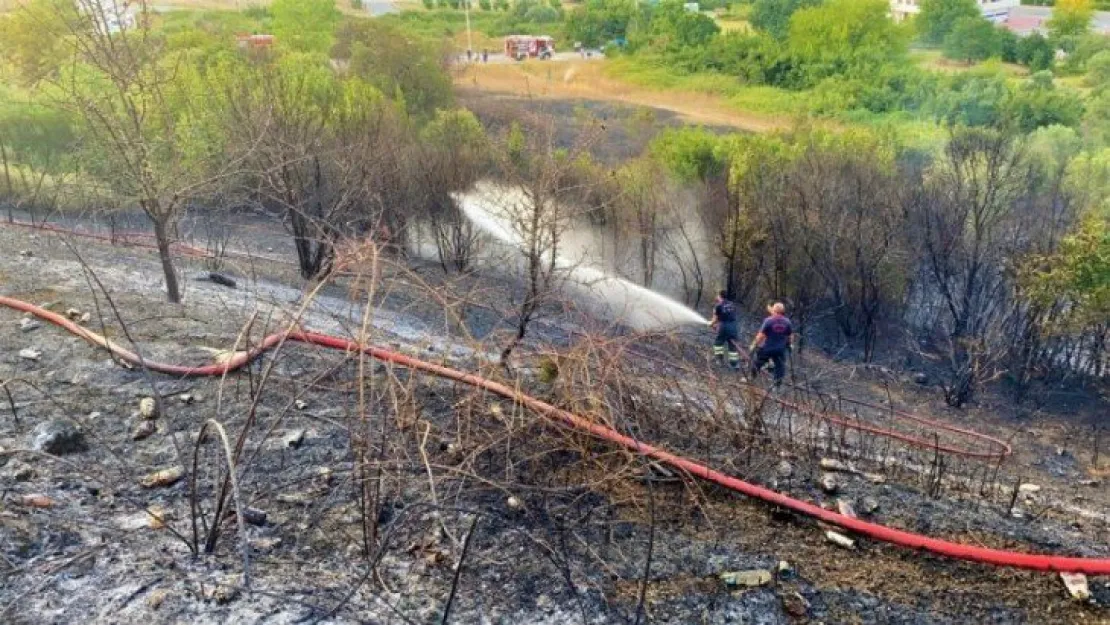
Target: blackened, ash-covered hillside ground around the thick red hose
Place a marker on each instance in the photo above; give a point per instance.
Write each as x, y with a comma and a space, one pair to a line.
370, 496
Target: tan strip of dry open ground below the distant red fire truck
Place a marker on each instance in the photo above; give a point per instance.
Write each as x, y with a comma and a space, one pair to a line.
580, 79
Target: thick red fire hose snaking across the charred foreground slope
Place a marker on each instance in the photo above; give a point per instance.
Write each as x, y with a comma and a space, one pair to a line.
998, 558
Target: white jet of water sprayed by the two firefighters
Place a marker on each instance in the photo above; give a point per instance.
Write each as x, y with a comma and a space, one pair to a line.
491, 208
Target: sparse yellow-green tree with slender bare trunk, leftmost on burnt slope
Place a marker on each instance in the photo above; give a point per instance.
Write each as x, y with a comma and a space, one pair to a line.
137, 109
